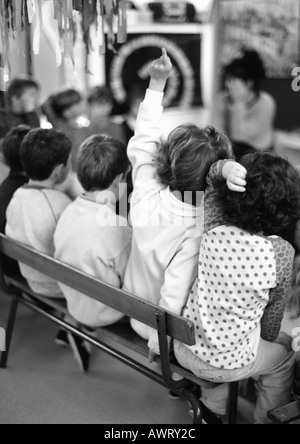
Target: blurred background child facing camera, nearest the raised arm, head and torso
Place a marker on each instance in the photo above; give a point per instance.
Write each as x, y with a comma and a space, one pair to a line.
101, 103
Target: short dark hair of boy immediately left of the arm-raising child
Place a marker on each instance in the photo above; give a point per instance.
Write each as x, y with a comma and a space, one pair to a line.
101, 159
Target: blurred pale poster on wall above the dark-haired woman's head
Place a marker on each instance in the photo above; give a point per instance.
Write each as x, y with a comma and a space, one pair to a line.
269, 26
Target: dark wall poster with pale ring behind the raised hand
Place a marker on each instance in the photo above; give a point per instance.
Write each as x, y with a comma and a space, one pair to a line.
127, 71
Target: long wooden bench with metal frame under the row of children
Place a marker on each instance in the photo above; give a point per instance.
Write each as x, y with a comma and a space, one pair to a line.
111, 338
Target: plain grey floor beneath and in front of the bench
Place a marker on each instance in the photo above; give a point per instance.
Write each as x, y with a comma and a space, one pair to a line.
43, 384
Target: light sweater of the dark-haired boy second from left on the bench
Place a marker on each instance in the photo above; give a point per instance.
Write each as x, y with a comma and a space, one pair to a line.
32, 217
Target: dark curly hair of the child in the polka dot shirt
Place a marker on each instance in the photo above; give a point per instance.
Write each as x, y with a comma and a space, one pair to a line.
271, 203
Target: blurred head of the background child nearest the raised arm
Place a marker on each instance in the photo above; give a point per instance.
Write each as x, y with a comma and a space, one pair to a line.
100, 102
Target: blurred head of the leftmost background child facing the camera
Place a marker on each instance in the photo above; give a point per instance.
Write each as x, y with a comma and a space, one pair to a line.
23, 100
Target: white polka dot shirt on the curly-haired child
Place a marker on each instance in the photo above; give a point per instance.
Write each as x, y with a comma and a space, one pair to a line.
237, 270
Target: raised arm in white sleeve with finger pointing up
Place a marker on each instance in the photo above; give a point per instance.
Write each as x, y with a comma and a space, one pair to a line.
142, 149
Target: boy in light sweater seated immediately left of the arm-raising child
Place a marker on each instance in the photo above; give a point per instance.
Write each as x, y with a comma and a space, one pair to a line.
90, 236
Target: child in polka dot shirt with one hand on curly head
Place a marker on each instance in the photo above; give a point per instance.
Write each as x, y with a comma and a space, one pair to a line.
244, 280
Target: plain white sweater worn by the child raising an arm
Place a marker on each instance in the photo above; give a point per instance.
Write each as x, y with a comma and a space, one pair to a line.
166, 232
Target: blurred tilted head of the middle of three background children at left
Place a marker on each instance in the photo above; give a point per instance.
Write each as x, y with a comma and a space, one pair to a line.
68, 104
